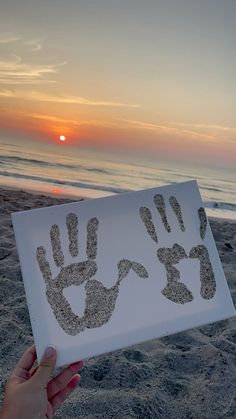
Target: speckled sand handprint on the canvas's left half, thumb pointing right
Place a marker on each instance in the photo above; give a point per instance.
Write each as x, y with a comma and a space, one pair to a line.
100, 301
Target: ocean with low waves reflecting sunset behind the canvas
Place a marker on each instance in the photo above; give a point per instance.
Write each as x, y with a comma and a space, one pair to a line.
63, 170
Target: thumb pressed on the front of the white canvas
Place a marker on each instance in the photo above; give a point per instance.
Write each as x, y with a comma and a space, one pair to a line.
46, 366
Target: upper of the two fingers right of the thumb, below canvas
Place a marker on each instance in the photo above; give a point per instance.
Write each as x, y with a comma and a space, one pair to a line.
59, 382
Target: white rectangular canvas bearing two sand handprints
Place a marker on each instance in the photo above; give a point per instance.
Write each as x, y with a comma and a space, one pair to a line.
107, 273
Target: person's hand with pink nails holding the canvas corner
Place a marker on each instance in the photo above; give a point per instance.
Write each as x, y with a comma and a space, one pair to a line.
30, 395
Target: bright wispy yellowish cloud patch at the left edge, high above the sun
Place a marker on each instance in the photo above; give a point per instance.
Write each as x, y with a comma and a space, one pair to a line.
15, 71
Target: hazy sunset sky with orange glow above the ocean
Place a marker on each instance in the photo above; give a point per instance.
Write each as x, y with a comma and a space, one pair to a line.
154, 77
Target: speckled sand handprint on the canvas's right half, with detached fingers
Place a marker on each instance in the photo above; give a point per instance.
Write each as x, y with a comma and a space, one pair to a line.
175, 290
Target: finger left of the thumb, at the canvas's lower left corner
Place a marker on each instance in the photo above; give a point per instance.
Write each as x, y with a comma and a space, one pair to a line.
21, 371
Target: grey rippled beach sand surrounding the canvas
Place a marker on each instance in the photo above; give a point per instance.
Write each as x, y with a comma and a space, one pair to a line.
186, 375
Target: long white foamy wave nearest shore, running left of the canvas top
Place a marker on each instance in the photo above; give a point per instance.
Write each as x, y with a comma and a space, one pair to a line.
65, 183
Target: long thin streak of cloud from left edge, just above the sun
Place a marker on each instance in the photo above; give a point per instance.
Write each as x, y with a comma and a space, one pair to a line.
67, 99
